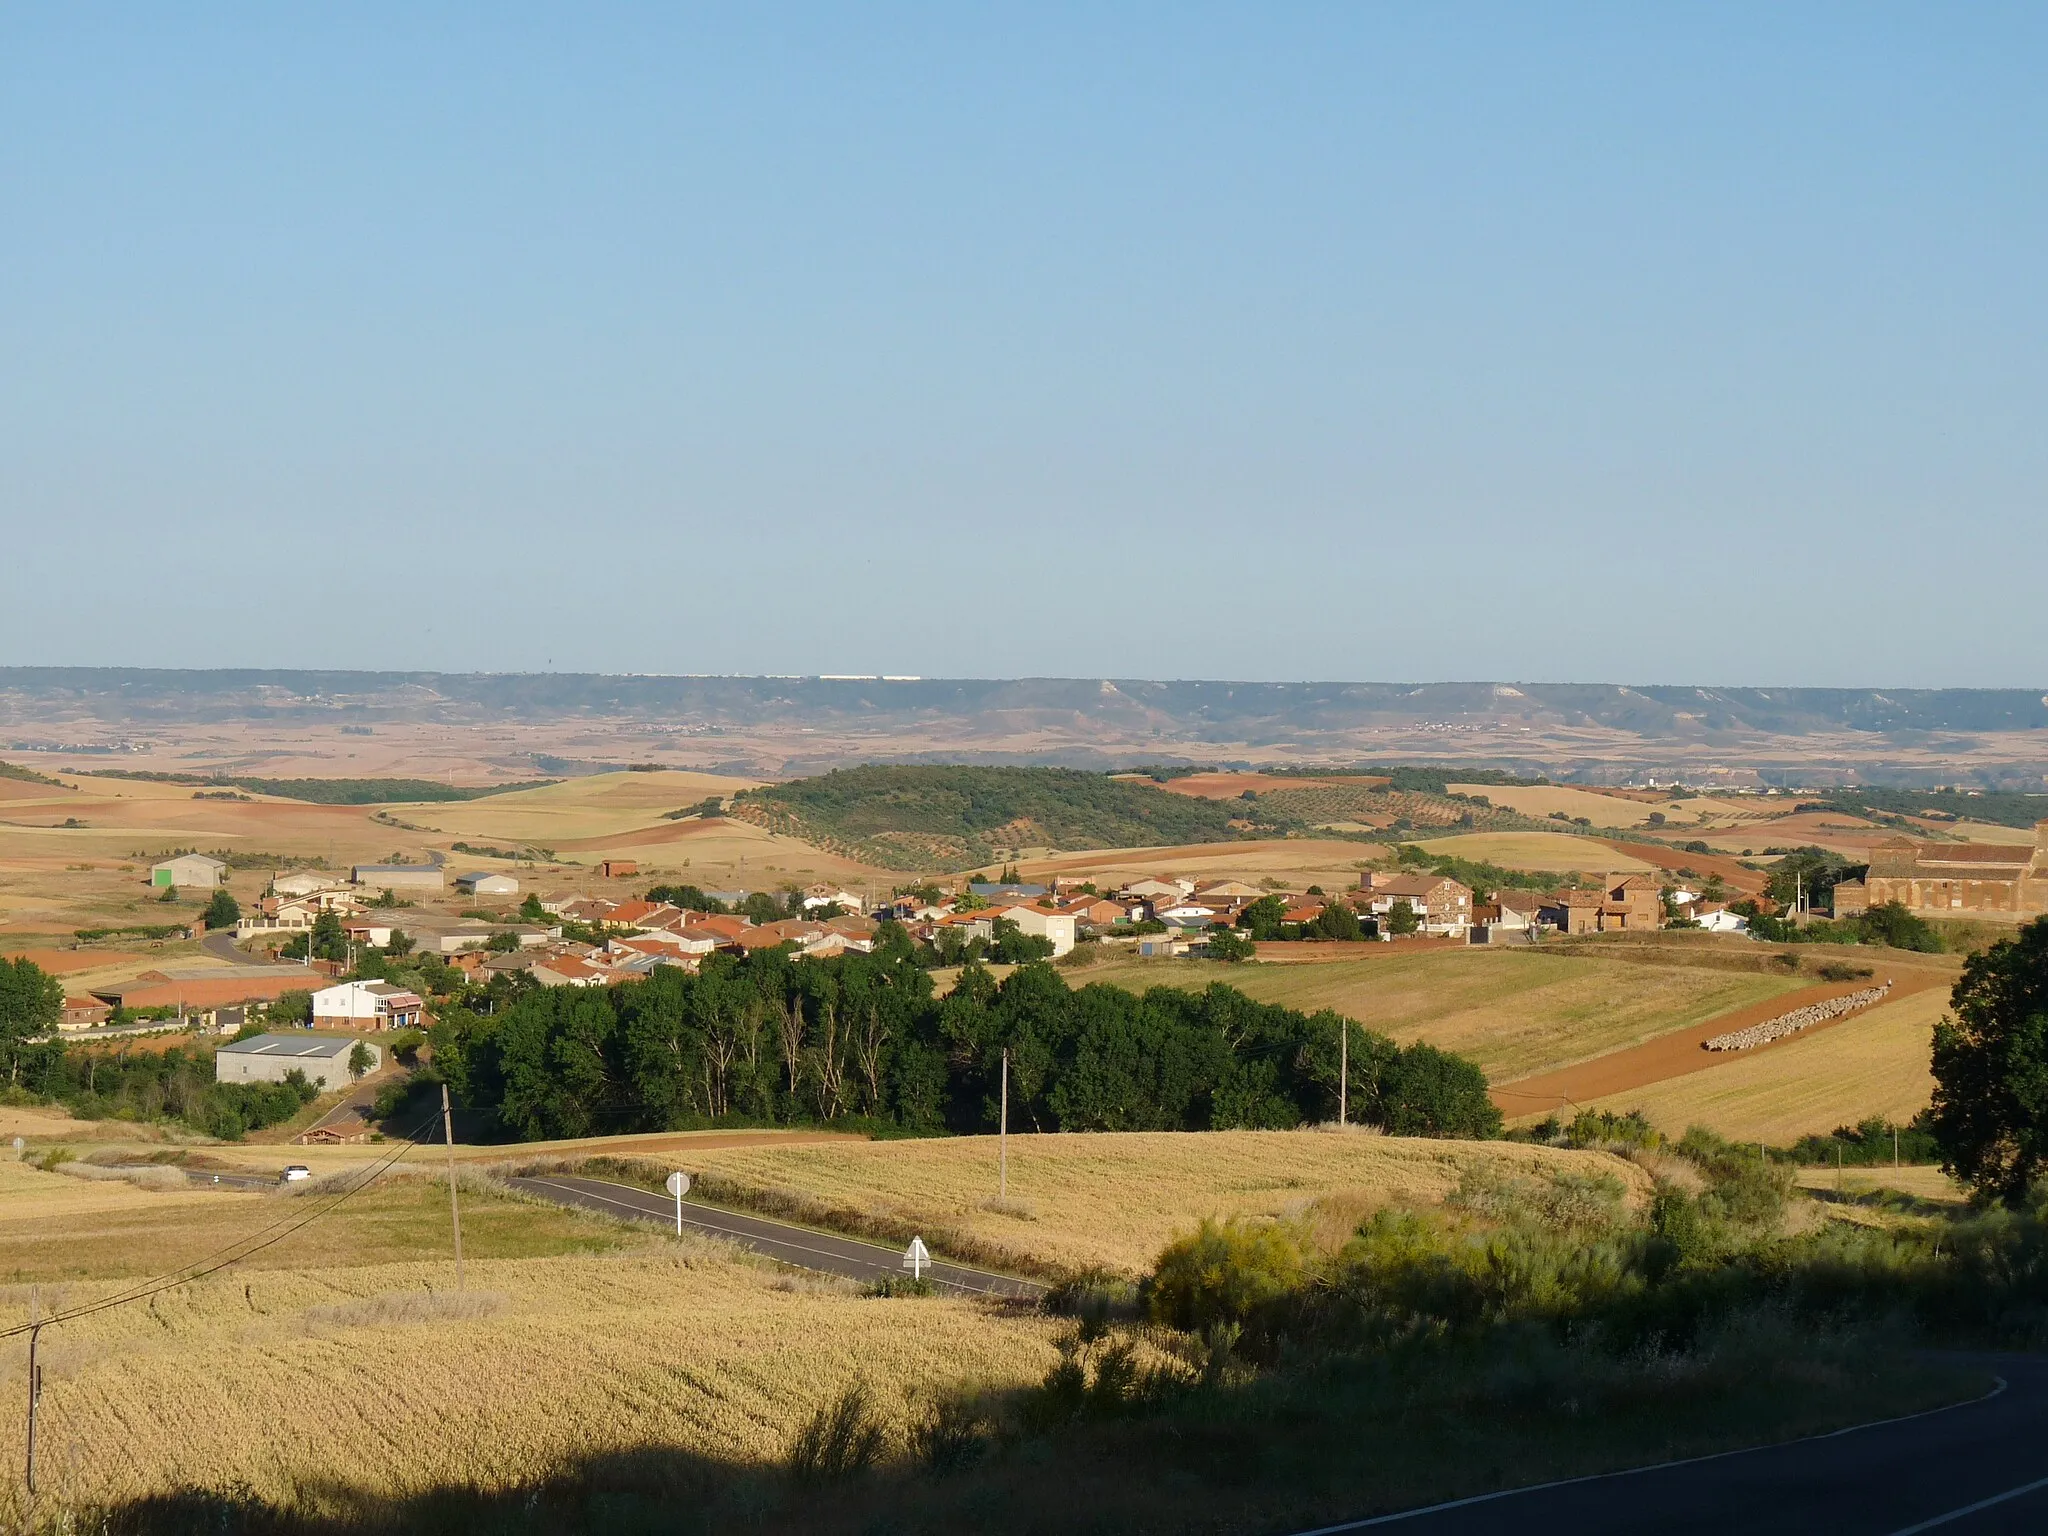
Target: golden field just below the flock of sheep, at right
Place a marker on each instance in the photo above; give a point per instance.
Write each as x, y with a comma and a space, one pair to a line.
1875, 1064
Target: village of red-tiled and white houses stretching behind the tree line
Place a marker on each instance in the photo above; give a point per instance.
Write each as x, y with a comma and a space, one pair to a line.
312, 929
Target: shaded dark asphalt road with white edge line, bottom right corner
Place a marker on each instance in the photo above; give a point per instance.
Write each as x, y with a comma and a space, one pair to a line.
1979, 1469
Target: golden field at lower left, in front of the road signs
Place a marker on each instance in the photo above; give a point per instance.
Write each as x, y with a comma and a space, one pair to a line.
638, 1340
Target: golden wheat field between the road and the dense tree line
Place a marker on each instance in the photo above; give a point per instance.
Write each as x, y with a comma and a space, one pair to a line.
1113, 1201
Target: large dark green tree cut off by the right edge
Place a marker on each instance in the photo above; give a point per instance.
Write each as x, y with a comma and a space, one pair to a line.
1990, 1111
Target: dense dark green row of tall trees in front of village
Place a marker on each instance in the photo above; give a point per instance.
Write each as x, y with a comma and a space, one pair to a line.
769, 1039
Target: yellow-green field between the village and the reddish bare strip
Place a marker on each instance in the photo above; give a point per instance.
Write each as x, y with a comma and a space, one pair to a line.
1514, 1013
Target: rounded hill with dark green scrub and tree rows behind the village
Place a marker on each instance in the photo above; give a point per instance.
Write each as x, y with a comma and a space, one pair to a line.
959, 818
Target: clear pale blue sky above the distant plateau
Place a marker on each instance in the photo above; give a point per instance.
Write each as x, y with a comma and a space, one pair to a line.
1547, 343
